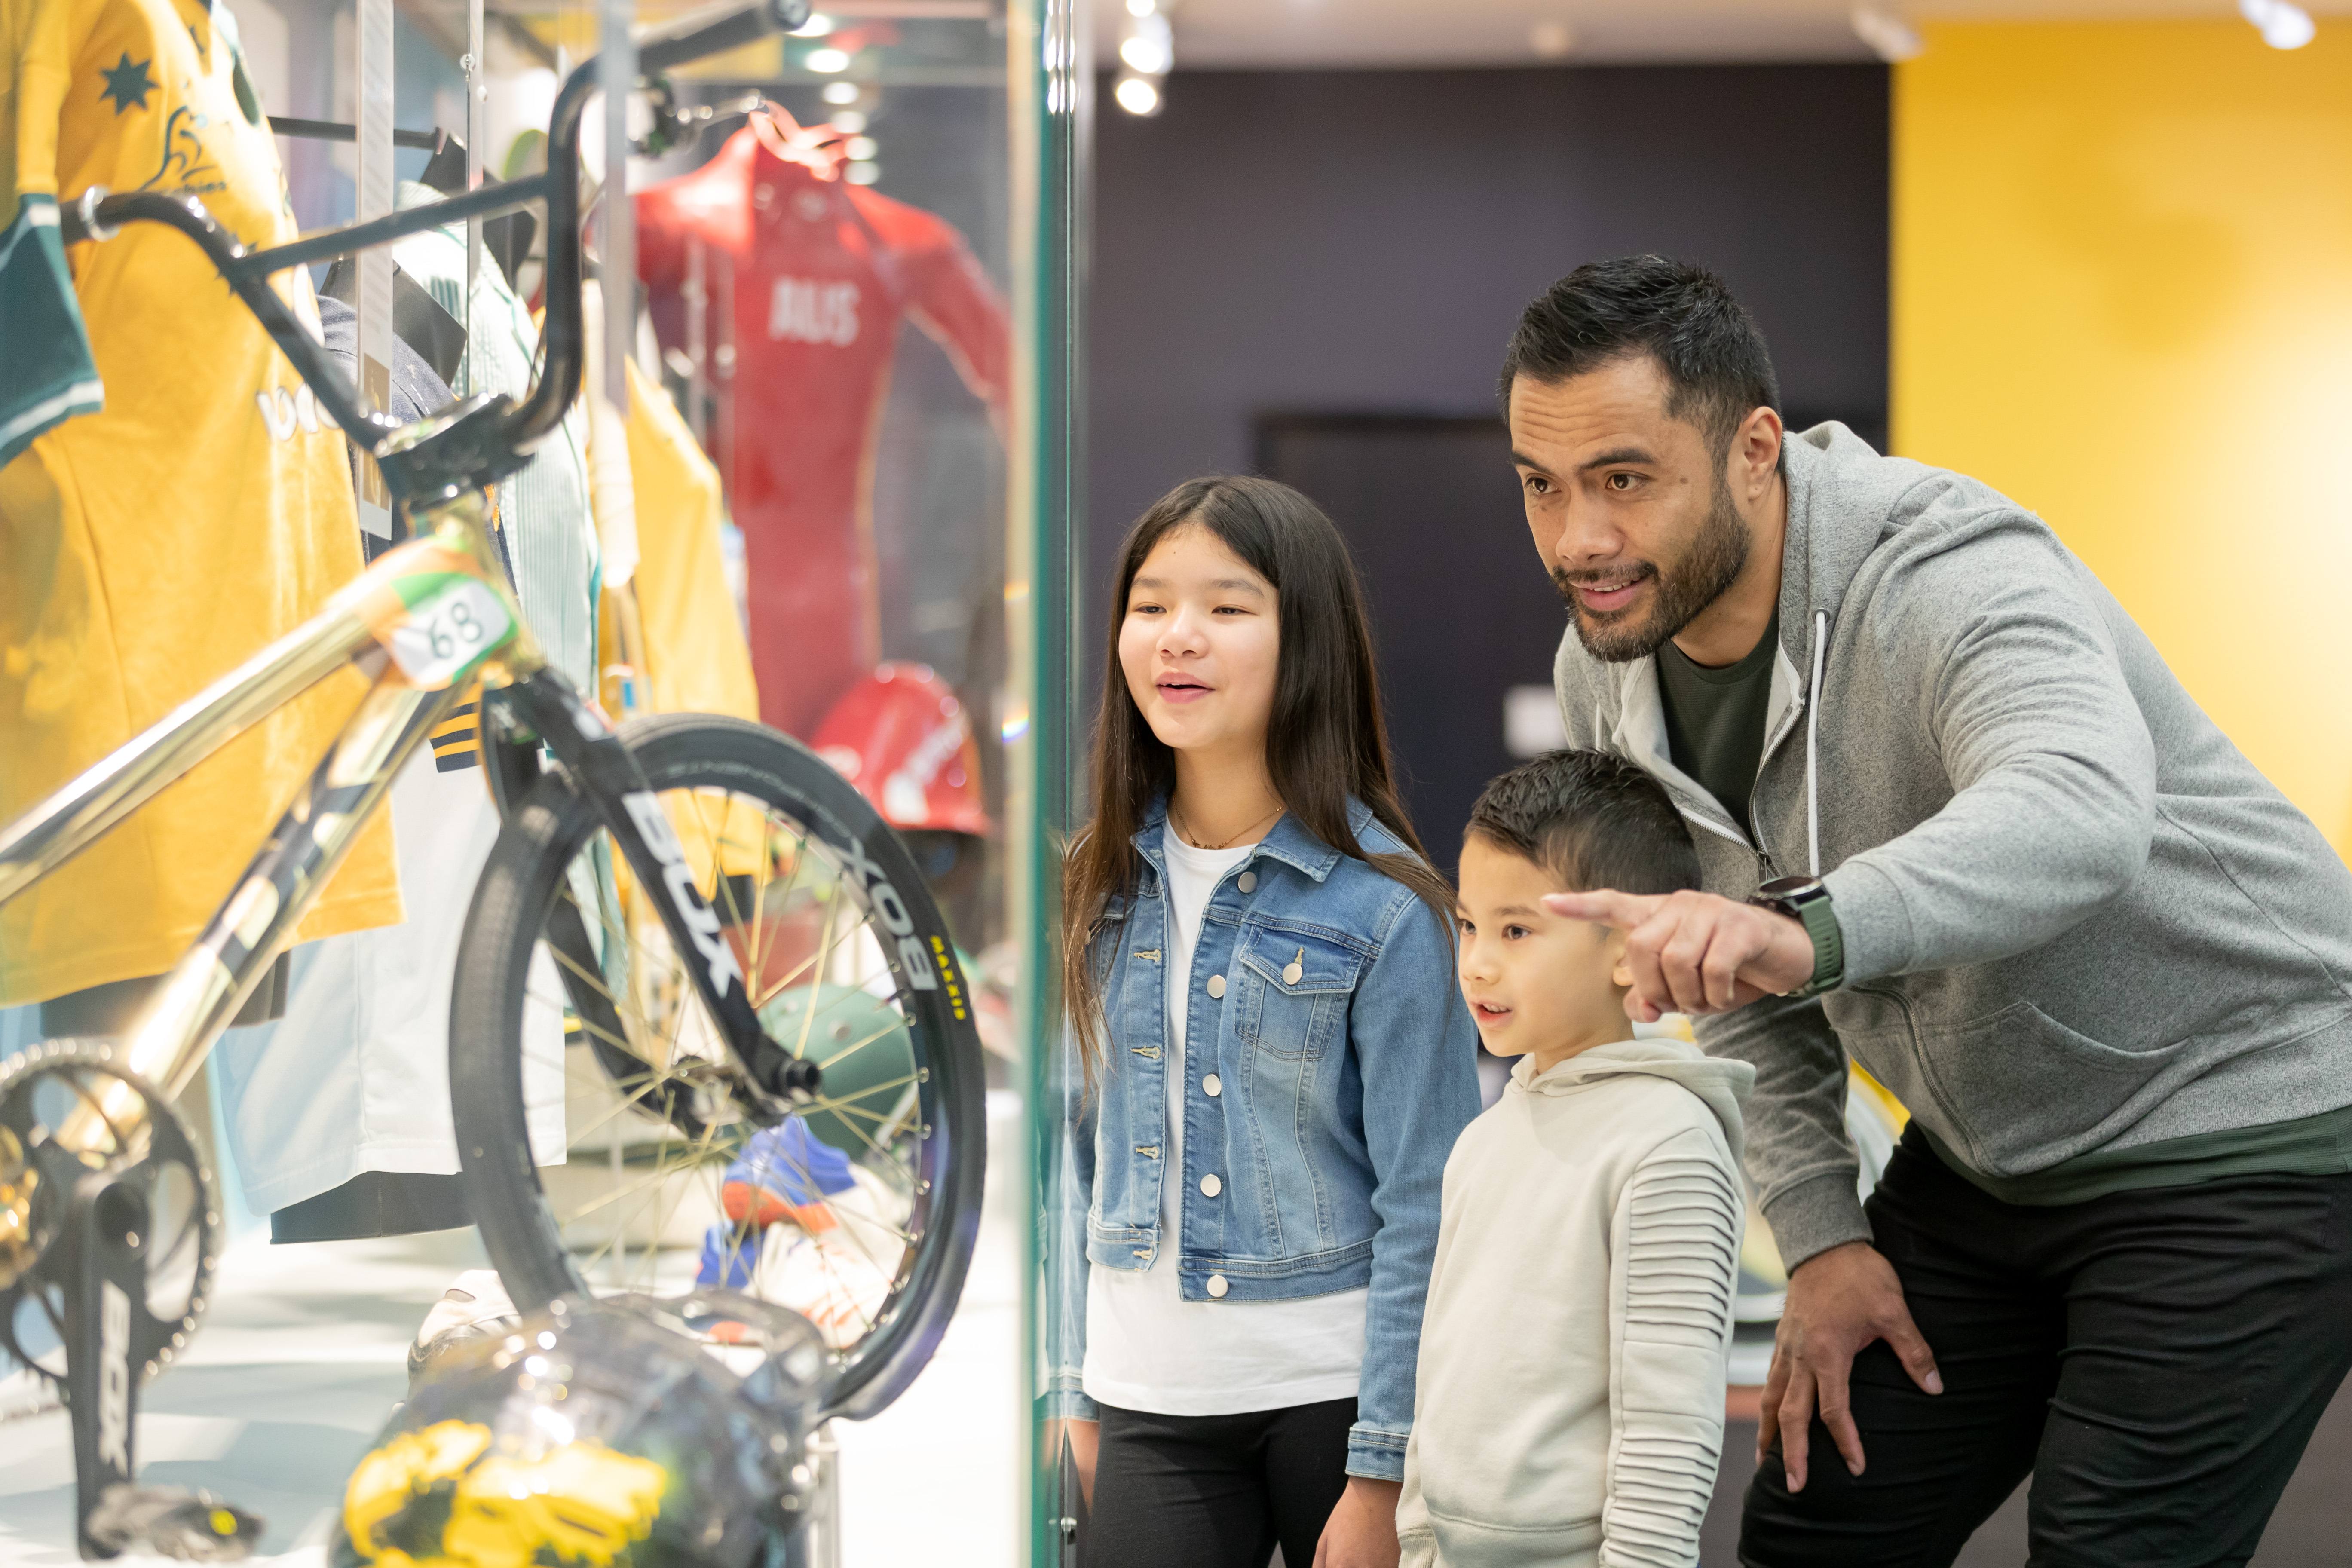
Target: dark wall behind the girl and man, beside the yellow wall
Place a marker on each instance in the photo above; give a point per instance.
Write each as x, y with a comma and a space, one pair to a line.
1361, 243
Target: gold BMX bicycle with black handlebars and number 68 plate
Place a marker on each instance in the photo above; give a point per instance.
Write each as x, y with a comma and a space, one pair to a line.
723, 930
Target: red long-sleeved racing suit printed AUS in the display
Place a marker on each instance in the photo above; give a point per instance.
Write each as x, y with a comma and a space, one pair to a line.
822, 276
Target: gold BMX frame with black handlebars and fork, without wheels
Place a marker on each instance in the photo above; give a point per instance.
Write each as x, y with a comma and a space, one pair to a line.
439, 474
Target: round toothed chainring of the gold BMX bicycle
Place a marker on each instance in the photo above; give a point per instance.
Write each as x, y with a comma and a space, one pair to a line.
69, 1111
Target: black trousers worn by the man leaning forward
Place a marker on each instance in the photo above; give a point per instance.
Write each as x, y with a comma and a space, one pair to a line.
2156, 1360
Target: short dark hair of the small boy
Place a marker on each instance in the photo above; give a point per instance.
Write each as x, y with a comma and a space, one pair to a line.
1591, 819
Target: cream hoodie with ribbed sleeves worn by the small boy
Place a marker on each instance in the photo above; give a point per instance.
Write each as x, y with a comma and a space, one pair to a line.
1572, 1358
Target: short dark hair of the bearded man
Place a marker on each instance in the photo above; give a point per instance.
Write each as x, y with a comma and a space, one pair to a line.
1673, 311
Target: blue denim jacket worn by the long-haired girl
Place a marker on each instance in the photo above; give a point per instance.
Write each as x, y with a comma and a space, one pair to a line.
1349, 1066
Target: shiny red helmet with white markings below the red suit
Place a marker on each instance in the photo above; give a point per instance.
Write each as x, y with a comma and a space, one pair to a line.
902, 737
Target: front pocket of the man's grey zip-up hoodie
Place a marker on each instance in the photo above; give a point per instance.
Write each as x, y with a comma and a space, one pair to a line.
2019, 1080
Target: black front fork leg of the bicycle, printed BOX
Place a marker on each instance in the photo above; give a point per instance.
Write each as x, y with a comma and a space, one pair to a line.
608, 777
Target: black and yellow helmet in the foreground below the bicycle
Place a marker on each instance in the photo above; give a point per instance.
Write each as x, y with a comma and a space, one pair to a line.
599, 1435
